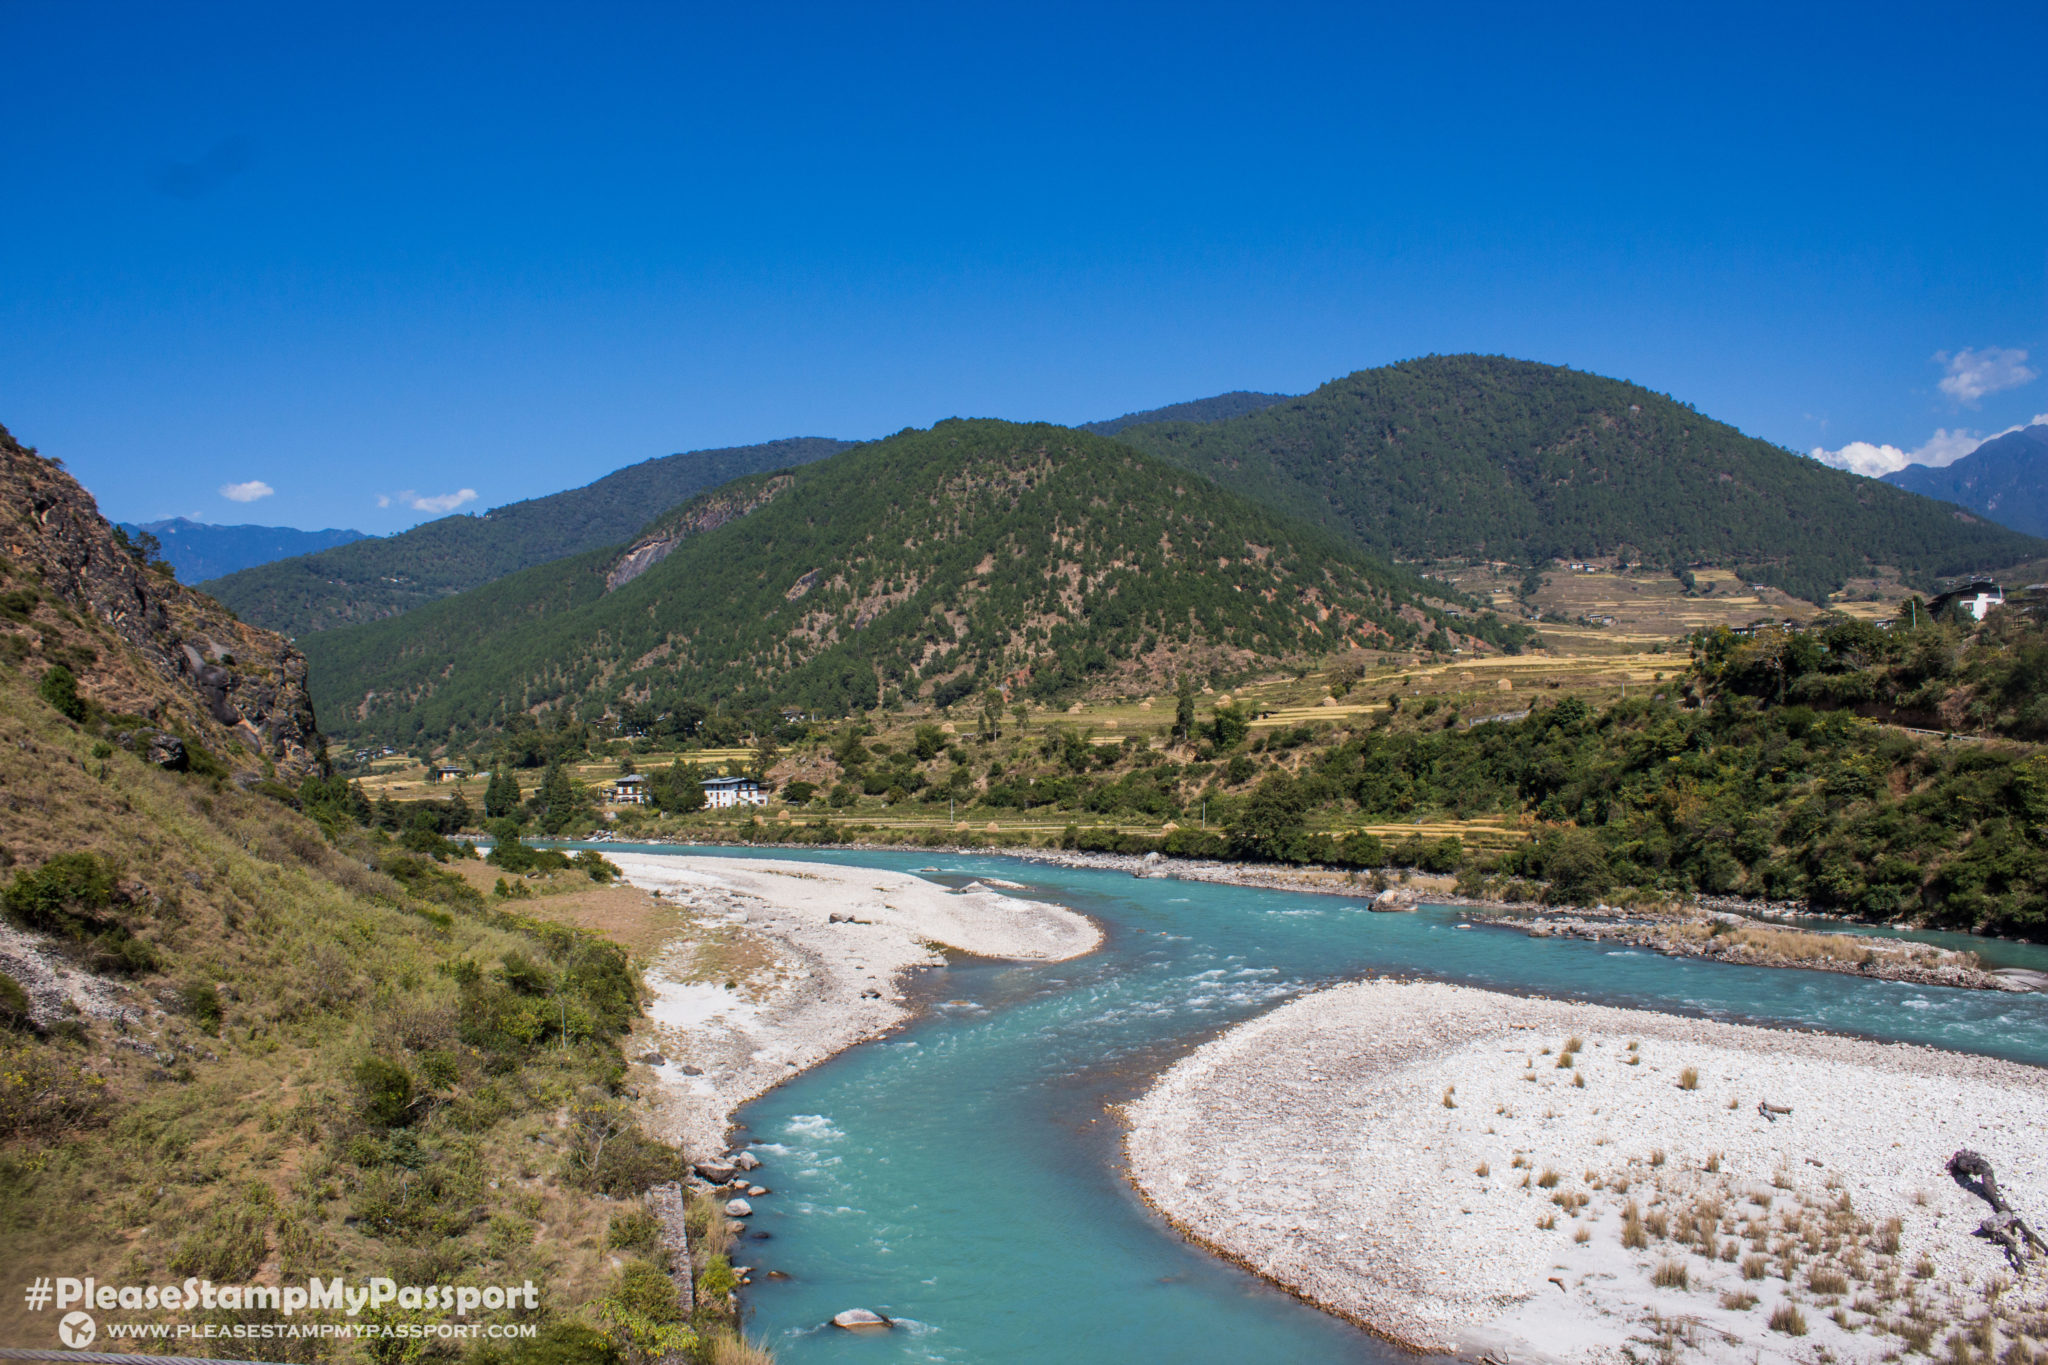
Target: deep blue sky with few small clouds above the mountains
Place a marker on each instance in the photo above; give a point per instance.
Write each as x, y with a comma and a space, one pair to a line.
378, 257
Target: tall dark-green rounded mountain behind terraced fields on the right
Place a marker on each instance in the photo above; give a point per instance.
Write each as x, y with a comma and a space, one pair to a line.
1482, 457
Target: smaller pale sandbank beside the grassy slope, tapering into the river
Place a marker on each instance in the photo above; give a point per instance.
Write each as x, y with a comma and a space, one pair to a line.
781, 965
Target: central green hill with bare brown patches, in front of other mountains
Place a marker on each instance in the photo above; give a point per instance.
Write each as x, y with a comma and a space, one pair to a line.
933, 564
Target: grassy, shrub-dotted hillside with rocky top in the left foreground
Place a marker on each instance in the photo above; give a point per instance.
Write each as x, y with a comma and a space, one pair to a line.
249, 1039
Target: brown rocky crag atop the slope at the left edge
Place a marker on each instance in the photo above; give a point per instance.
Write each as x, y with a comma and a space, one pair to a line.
187, 662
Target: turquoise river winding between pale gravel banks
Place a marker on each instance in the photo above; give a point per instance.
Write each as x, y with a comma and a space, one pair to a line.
964, 1176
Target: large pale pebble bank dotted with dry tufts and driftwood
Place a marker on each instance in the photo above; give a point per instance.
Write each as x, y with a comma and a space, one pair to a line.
1416, 1159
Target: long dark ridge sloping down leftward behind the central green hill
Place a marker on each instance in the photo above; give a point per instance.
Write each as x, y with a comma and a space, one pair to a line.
388, 576
